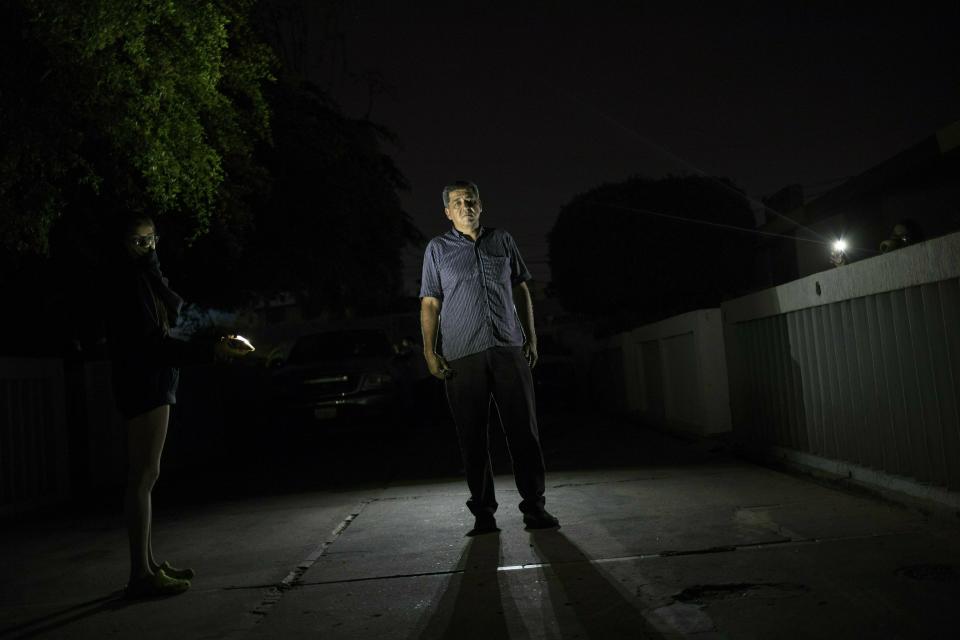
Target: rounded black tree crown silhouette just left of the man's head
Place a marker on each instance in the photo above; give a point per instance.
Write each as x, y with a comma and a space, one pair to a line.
334, 229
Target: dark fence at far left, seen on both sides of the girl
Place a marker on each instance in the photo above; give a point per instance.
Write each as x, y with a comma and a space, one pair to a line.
61, 436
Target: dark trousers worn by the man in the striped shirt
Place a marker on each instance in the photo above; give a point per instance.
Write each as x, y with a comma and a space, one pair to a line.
500, 373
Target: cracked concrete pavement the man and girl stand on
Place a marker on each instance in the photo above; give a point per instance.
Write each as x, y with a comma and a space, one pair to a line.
683, 543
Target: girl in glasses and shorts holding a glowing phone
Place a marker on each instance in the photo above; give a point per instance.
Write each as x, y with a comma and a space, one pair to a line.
141, 308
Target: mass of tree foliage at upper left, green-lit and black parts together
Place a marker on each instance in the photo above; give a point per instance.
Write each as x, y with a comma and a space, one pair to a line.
167, 108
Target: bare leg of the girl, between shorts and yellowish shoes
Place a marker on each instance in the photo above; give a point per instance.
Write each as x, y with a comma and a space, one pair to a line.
146, 435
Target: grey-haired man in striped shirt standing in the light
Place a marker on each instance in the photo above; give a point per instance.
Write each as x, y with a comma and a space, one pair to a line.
479, 338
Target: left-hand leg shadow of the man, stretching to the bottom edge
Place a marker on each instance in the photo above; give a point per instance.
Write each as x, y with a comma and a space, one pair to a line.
471, 606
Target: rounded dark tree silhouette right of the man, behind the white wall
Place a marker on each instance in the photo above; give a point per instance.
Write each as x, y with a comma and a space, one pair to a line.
612, 258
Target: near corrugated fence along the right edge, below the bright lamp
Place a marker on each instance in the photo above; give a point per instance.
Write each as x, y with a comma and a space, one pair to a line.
872, 380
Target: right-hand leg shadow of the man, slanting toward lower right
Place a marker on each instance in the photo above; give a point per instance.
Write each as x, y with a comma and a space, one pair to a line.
582, 597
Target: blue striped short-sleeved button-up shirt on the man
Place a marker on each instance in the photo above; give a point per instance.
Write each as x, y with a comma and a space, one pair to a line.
474, 282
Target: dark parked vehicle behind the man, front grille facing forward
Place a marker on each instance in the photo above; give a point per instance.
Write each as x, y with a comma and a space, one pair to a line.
342, 376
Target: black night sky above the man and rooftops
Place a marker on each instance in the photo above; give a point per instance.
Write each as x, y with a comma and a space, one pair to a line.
537, 103
